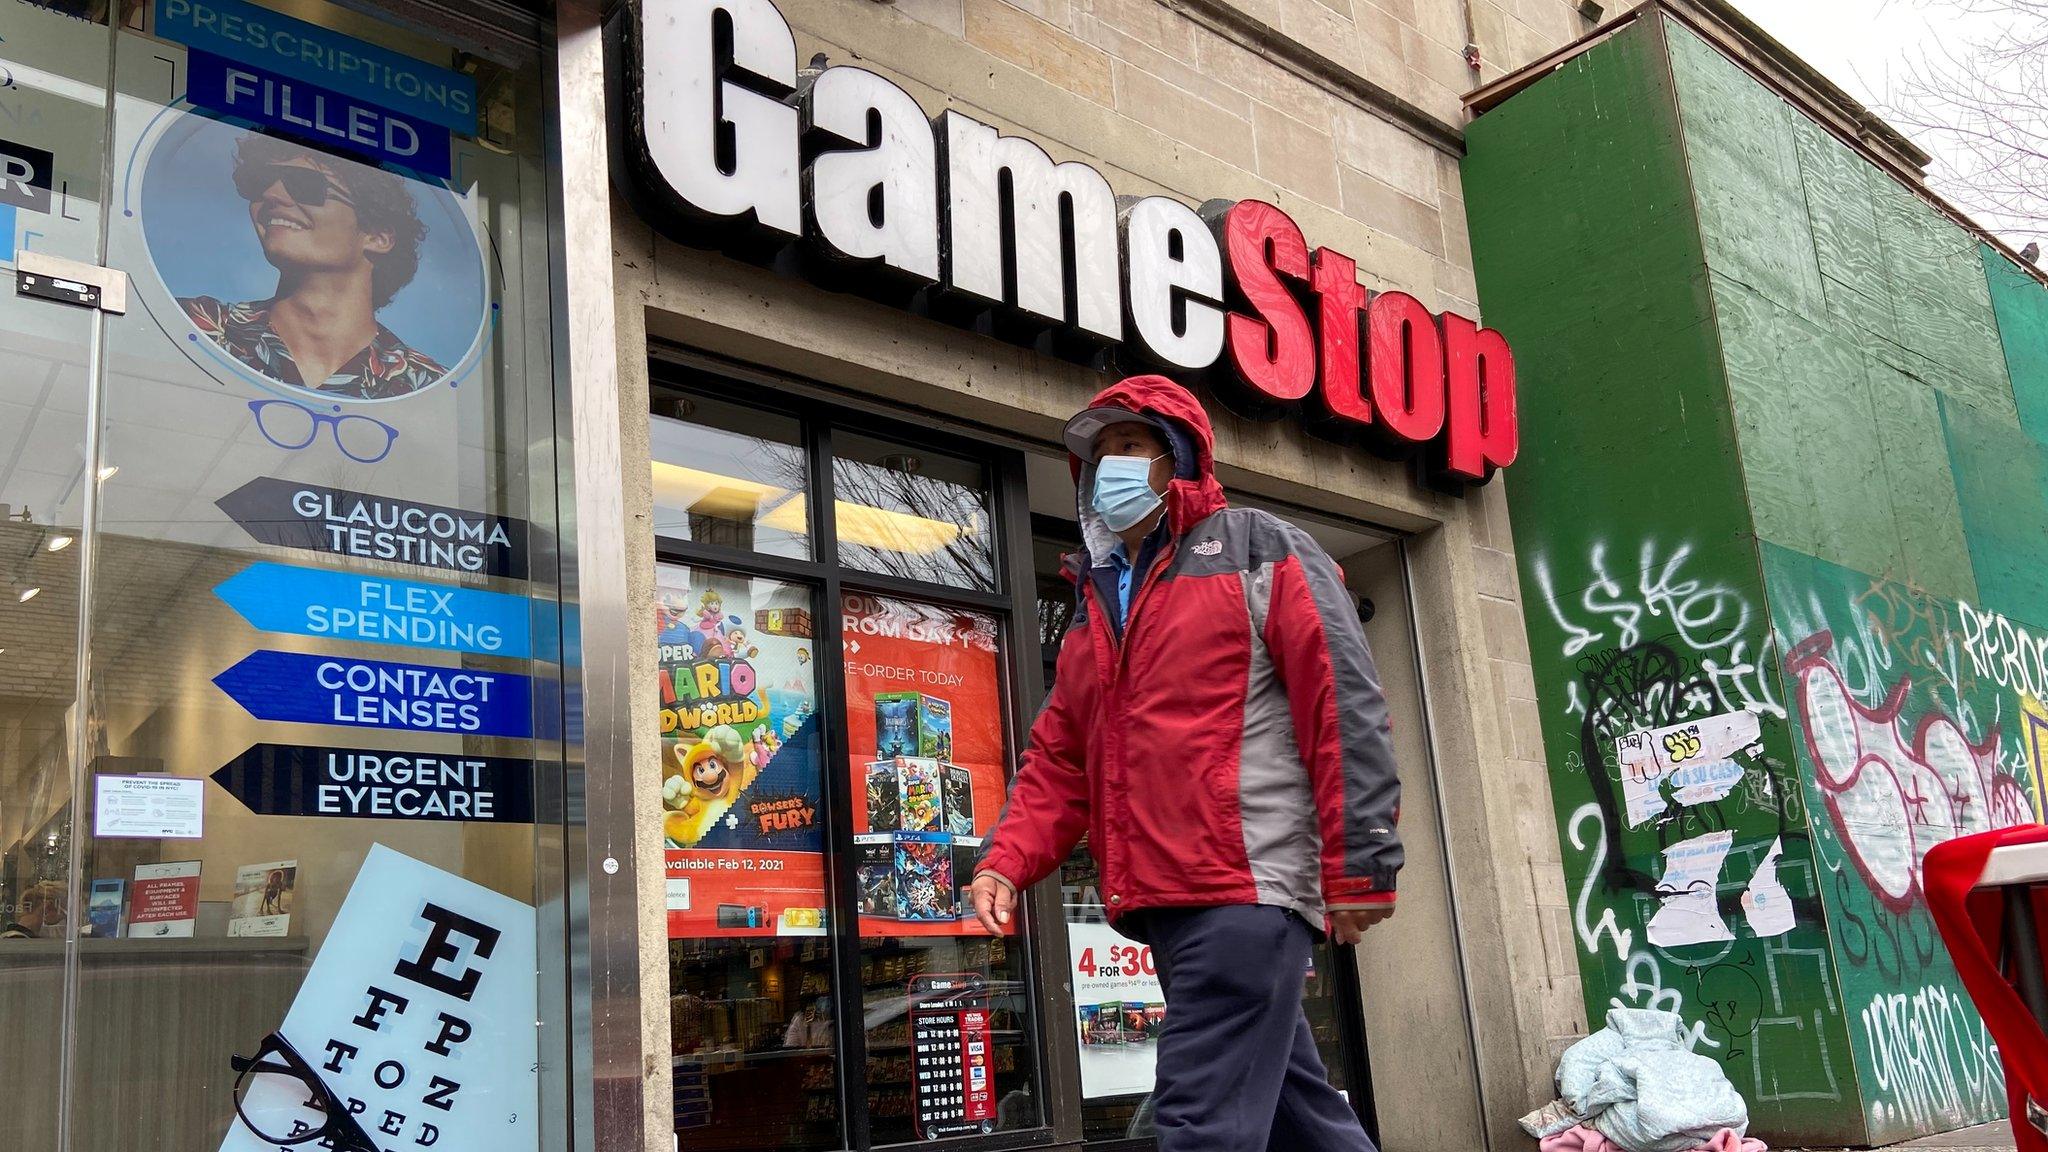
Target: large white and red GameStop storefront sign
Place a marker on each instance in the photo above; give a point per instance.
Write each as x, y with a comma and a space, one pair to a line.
843, 175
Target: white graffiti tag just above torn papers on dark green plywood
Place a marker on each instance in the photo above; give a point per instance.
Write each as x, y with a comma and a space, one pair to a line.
1707, 620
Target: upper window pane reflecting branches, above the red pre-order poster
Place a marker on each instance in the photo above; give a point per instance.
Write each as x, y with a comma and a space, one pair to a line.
912, 513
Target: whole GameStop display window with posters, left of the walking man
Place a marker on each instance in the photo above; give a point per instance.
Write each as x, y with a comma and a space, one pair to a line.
828, 983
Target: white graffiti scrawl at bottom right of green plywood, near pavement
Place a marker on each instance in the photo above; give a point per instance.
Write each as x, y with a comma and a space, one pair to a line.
1934, 1061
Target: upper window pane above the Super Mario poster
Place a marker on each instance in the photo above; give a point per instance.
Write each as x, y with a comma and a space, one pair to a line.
728, 477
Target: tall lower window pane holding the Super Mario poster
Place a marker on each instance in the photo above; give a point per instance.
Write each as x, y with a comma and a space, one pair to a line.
744, 835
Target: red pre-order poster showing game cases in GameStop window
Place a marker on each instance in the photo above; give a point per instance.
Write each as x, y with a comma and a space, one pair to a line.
927, 729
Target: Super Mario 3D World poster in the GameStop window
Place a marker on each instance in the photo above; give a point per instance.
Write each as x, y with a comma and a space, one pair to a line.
742, 823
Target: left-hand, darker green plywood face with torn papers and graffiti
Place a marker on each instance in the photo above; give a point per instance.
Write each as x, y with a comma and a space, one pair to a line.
1650, 618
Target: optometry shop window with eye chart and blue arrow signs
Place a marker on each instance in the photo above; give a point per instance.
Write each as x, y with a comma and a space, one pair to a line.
282, 727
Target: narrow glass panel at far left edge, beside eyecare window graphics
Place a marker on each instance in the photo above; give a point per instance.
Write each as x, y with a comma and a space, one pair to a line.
52, 196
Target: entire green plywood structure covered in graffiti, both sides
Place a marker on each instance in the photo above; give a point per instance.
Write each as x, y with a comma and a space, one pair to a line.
1785, 477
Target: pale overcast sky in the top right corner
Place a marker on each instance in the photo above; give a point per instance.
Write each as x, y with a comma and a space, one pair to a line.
1865, 46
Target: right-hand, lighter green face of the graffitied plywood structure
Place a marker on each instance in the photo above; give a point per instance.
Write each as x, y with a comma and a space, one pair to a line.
1891, 481
